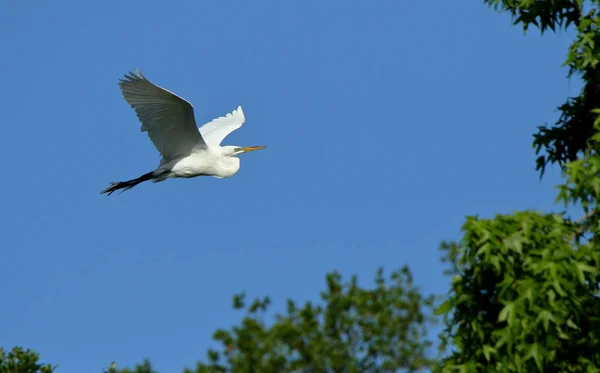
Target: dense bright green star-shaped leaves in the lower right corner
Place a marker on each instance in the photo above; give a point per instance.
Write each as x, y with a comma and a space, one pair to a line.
524, 298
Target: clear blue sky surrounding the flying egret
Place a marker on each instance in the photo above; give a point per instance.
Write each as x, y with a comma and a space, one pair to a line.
386, 124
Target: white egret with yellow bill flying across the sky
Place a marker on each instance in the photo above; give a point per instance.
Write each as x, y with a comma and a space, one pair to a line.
186, 150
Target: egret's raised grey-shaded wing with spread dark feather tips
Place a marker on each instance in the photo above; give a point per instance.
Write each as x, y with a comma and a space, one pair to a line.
168, 118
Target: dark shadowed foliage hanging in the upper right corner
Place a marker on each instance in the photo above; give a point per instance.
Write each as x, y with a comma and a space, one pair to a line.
570, 136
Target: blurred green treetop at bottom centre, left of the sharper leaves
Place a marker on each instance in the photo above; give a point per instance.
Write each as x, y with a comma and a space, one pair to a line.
354, 330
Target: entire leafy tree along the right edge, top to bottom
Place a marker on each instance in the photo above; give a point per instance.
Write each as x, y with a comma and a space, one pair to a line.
524, 295
